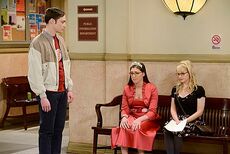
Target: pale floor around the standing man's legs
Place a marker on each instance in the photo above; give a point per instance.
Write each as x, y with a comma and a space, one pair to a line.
20, 141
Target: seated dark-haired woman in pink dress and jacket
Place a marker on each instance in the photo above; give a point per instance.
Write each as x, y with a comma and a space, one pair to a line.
138, 124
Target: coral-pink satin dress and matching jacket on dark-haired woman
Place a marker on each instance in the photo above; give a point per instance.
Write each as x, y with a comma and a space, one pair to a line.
142, 138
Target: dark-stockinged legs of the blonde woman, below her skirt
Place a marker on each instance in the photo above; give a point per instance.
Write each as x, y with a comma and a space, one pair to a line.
172, 142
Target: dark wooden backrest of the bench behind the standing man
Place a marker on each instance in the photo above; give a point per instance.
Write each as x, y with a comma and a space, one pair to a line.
15, 88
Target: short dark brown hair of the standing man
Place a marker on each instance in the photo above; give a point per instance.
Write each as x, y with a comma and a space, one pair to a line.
53, 13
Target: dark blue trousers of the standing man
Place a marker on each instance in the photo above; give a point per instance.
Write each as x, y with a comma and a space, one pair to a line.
52, 123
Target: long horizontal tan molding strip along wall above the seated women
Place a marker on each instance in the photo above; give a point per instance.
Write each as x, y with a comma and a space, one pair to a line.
203, 58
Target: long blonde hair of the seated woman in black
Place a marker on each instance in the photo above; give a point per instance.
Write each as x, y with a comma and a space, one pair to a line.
192, 78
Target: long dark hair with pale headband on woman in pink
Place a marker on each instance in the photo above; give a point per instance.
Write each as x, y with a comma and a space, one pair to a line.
142, 68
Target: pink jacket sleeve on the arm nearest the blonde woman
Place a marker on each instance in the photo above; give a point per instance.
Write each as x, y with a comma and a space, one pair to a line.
152, 113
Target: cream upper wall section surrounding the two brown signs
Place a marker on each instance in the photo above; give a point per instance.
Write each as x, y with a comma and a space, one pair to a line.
72, 16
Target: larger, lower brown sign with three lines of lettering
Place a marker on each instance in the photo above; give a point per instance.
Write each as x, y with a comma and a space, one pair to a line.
87, 28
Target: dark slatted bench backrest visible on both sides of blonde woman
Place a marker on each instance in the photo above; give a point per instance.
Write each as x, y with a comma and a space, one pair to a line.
216, 113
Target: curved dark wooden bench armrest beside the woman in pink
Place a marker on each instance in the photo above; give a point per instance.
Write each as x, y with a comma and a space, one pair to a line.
116, 101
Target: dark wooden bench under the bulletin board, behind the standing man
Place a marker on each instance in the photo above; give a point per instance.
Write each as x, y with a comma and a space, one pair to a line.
15, 92
